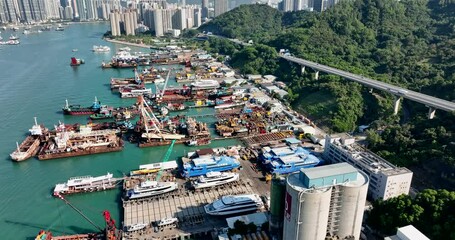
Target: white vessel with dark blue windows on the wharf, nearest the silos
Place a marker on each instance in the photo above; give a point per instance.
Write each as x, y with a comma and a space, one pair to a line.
234, 204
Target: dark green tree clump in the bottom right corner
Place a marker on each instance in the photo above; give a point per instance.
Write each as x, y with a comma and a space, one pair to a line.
432, 212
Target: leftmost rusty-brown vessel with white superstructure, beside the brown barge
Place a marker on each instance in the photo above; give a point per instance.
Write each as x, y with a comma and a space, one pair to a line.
30, 146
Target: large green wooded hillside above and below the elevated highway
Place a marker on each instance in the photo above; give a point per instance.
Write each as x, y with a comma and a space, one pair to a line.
410, 43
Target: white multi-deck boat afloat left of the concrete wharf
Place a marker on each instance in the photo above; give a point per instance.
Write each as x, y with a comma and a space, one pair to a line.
86, 184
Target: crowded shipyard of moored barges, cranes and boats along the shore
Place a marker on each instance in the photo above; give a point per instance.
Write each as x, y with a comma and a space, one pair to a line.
170, 199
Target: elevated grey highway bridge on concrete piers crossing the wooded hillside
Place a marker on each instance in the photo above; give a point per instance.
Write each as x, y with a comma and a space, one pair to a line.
432, 103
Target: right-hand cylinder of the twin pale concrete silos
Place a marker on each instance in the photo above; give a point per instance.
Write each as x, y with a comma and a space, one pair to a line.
352, 203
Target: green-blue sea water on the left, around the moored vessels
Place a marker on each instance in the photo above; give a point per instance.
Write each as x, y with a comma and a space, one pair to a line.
35, 80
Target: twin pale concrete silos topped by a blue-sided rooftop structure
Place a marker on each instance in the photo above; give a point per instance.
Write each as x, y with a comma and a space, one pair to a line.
325, 201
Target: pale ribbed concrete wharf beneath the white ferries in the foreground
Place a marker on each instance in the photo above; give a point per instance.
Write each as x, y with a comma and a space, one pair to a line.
184, 204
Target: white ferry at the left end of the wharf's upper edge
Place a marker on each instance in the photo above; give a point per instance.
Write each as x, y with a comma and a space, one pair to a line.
151, 188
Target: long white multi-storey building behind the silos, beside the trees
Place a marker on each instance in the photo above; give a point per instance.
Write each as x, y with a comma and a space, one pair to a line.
386, 179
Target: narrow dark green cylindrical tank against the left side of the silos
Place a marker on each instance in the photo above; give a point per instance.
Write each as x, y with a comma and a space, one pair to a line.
277, 193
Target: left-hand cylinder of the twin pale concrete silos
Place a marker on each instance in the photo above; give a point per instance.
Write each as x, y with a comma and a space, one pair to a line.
306, 211
